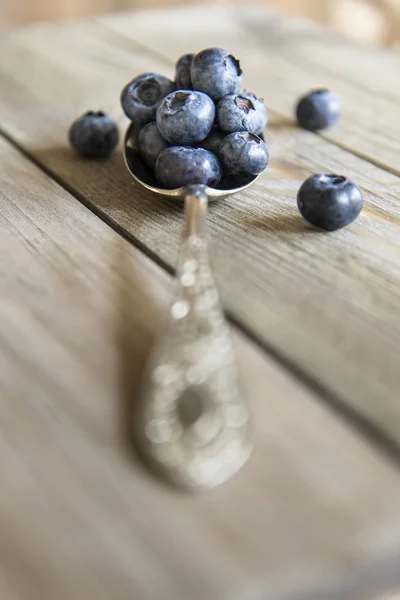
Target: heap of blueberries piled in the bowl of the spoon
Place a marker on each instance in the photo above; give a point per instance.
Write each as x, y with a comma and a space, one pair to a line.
199, 128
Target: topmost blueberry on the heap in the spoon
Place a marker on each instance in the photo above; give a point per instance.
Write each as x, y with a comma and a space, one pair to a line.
216, 72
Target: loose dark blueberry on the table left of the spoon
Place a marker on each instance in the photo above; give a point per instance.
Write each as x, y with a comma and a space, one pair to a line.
94, 134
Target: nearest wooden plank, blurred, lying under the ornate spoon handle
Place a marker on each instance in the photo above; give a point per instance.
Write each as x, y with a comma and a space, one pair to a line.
316, 510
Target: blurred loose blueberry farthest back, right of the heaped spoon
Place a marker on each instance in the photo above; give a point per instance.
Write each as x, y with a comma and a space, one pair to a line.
318, 109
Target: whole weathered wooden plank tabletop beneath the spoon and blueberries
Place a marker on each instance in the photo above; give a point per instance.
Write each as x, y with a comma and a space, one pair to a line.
86, 266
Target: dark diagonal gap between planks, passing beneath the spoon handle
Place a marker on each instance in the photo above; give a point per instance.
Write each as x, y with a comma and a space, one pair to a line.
362, 425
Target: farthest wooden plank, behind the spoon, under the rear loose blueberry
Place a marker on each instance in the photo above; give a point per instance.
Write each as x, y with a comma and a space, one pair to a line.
283, 58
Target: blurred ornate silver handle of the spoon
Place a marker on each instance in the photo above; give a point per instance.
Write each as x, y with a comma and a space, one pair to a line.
195, 423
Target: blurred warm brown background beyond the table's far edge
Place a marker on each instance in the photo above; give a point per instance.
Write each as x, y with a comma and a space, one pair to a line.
376, 21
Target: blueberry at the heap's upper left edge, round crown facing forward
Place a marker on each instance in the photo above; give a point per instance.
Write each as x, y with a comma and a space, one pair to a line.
141, 97
